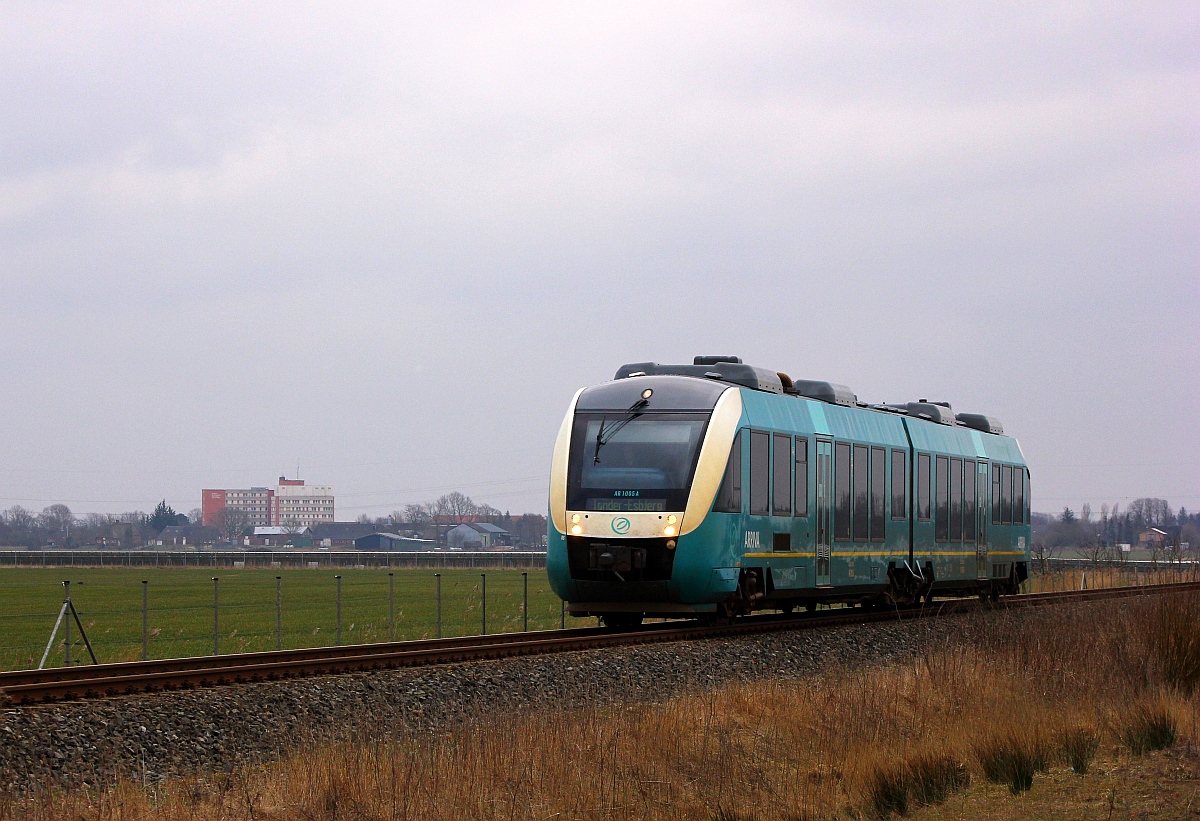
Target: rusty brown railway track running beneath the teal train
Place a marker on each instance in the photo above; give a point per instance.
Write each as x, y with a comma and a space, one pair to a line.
32, 687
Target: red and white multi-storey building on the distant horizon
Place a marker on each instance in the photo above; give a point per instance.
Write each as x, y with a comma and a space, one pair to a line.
291, 504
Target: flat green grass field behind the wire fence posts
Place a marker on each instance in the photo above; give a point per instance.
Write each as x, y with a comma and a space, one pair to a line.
181, 613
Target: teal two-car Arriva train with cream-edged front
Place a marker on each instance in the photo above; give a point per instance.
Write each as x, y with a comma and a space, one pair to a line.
718, 489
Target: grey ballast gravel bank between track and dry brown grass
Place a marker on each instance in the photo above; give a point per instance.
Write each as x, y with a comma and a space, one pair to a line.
158, 736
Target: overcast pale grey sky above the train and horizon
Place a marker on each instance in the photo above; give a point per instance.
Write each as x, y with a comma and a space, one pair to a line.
388, 242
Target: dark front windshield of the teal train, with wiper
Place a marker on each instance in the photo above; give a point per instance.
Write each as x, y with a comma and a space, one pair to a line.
633, 464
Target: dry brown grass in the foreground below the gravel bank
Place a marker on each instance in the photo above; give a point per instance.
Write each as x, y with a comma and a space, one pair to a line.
1024, 704
